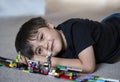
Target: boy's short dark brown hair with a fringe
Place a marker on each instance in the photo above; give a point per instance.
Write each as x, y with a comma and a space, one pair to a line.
28, 30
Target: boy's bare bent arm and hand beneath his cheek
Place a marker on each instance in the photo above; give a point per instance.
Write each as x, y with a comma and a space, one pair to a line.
86, 60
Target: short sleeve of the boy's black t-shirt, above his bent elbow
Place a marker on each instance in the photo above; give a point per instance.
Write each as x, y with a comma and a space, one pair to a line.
82, 36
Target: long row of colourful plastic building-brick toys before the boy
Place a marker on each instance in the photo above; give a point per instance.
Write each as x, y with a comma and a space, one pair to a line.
46, 69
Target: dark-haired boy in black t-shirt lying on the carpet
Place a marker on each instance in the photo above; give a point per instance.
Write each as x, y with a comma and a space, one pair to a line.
78, 43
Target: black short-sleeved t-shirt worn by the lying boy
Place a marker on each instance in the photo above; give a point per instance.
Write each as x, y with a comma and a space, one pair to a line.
82, 33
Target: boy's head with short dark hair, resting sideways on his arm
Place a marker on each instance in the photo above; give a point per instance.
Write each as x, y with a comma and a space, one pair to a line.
37, 37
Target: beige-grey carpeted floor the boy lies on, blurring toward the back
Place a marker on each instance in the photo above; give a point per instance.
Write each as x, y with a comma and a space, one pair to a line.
57, 11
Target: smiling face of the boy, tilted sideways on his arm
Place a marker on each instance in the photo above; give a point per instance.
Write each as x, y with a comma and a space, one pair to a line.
47, 39
